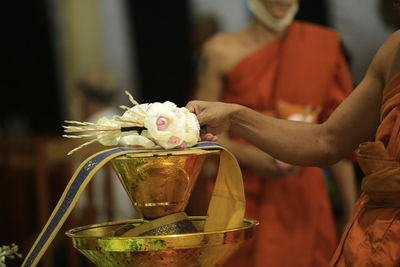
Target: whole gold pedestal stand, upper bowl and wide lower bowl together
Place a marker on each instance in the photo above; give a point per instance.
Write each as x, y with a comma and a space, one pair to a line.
159, 185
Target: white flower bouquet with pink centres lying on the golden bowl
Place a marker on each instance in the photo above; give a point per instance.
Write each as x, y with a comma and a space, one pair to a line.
143, 125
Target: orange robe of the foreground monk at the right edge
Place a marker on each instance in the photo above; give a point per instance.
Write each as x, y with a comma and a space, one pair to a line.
372, 238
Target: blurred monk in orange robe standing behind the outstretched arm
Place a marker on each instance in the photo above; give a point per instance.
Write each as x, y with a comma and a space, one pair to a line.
290, 70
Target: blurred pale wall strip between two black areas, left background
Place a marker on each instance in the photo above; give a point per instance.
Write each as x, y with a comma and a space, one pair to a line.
92, 33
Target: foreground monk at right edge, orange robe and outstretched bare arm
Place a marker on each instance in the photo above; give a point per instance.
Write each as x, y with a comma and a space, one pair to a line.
371, 112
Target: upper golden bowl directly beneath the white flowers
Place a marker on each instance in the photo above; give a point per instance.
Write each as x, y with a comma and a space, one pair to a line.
160, 183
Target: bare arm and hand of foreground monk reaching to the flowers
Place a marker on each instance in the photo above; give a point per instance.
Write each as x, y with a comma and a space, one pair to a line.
354, 121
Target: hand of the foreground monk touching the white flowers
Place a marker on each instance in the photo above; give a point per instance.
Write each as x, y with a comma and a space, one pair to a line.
215, 117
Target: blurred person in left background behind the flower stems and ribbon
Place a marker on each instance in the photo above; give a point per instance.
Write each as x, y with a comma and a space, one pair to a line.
96, 90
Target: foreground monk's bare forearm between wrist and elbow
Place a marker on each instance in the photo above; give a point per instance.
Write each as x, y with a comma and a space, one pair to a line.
290, 141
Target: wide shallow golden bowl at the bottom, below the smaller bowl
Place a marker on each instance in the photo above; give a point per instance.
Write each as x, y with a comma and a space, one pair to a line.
194, 249
